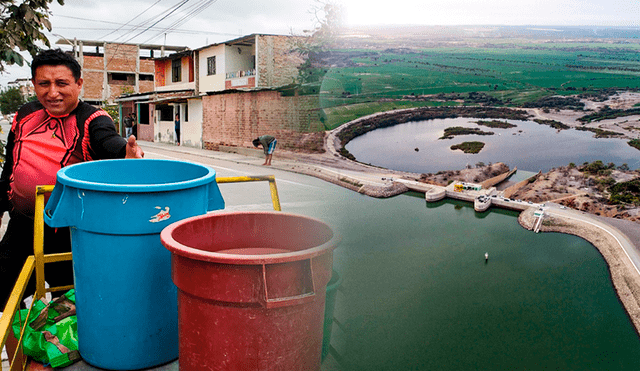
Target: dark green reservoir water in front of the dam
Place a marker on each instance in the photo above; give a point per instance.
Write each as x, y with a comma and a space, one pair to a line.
418, 295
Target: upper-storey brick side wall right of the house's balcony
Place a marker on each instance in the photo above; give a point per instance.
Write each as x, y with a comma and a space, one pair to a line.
277, 64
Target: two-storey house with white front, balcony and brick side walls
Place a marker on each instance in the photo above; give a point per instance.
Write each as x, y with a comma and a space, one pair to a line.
226, 94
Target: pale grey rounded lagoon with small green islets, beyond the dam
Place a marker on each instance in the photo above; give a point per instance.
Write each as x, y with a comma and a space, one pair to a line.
529, 146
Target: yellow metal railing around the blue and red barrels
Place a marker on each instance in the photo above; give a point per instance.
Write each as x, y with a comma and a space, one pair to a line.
38, 259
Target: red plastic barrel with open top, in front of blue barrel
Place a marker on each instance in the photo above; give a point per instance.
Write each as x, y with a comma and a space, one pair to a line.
251, 289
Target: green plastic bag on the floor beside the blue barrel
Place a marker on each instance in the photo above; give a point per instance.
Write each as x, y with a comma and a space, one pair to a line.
51, 336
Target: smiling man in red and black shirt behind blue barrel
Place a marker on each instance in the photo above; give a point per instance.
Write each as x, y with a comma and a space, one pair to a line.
56, 131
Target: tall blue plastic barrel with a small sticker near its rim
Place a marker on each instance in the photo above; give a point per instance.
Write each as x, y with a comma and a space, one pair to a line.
125, 300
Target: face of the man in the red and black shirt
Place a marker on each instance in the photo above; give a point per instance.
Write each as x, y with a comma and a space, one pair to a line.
56, 89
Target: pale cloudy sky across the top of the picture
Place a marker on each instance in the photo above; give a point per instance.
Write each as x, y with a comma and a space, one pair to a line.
196, 23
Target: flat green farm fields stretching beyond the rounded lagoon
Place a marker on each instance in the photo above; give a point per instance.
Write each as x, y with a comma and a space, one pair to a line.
380, 76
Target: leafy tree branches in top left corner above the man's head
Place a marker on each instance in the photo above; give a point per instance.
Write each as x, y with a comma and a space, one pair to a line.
21, 26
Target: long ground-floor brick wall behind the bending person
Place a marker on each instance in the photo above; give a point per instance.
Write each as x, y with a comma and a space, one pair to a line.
235, 119
